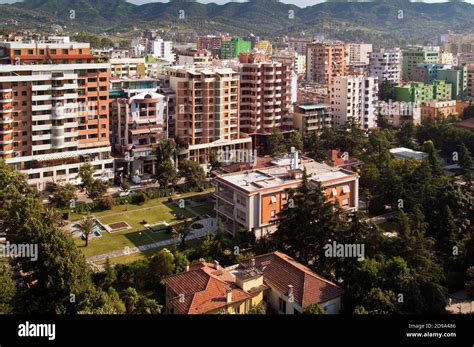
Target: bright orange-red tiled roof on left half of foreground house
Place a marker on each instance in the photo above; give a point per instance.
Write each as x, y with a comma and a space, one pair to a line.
203, 289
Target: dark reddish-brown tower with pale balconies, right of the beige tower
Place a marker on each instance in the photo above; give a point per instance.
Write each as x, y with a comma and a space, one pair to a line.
265, 95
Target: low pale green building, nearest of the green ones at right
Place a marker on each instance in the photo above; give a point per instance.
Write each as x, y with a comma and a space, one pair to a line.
418, 93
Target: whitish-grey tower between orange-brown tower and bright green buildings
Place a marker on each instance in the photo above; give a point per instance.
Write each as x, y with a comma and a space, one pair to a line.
386, 65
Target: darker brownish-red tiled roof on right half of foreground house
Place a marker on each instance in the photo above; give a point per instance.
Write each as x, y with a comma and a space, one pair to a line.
280, 271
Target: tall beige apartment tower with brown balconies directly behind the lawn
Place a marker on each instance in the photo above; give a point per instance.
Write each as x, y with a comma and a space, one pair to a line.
207, 108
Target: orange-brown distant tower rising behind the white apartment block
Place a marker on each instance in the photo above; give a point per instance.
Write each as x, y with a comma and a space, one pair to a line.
324, 62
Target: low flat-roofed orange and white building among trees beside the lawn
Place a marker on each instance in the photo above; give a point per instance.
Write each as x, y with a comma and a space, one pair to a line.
252, 200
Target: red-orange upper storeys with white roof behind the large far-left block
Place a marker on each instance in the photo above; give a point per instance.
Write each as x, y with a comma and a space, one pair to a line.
53, 50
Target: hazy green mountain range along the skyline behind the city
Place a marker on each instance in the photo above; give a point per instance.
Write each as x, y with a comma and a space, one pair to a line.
386, 21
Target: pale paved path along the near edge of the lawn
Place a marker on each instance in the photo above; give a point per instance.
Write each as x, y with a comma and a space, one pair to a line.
210, 227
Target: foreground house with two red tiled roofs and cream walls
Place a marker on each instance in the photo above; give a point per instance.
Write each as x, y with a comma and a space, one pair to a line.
276, 280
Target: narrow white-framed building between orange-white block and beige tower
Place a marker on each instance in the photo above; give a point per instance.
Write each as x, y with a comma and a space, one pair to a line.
138, 119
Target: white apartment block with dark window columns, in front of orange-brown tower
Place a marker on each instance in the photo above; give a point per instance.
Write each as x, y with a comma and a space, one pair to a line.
354, 98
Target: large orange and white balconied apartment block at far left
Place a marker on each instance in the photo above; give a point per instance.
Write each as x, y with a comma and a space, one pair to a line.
54, 118
